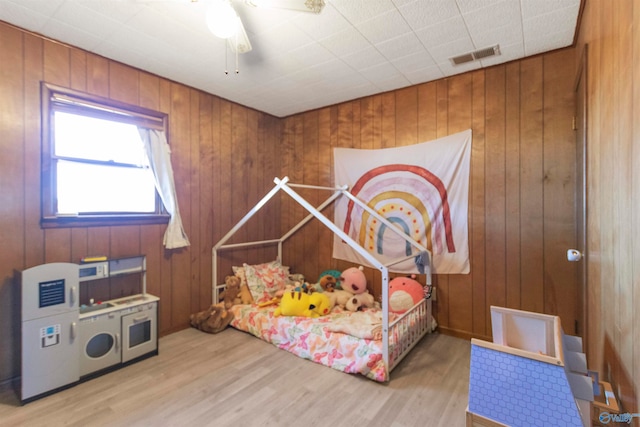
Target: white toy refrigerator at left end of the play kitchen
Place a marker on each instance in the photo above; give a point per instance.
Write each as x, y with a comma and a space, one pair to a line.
50, 352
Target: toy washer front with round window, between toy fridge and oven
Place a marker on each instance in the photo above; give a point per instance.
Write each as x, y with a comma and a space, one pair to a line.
100, 341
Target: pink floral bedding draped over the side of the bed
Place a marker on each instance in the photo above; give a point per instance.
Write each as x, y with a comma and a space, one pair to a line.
319, 339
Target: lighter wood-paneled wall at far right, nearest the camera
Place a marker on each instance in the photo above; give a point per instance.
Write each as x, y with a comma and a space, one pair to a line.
612, 32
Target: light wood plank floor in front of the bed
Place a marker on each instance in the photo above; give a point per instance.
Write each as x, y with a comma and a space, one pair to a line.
234, 379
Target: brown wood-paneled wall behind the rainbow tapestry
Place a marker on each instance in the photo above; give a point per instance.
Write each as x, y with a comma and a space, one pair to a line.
521, 218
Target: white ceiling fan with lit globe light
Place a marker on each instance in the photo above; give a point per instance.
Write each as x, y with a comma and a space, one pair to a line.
223, 21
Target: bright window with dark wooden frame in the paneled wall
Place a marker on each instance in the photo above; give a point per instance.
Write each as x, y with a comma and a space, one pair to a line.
95, 170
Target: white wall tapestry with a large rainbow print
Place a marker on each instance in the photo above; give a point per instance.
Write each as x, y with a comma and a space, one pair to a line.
423, 189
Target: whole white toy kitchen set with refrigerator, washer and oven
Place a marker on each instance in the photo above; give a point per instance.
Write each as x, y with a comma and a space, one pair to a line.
83, 320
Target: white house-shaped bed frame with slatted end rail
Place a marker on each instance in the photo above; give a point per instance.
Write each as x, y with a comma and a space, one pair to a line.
406, 331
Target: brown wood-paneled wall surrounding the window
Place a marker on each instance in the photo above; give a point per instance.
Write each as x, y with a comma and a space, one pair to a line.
223, 160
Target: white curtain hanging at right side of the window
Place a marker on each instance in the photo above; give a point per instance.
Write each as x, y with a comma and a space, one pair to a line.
159, 154
